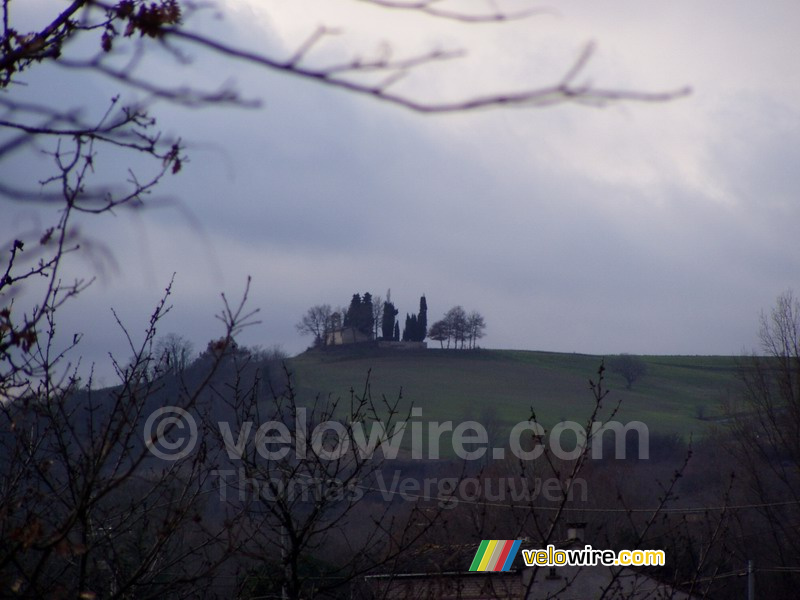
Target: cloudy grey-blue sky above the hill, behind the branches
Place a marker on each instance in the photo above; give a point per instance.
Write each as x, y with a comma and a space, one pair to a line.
650, 228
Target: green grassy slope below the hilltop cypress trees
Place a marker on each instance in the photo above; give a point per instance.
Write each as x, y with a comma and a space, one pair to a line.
462, 385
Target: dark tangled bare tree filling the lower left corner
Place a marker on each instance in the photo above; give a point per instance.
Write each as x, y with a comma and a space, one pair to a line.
87, 511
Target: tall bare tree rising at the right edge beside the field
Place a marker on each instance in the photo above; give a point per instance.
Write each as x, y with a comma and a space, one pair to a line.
765, 442
